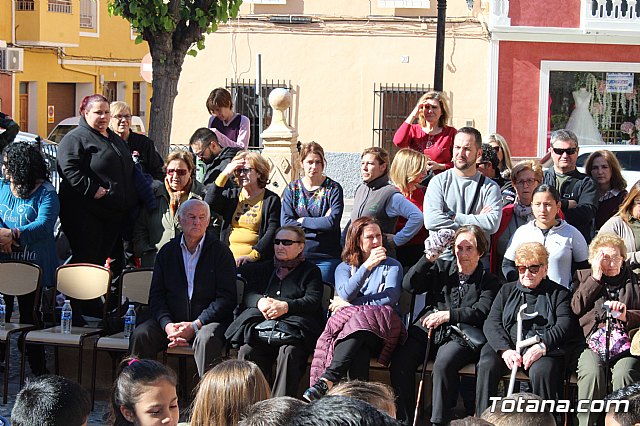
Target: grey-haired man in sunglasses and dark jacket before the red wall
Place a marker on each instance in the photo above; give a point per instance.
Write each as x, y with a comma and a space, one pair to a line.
578, 192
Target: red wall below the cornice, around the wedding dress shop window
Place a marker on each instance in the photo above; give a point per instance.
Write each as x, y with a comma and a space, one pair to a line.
519, 84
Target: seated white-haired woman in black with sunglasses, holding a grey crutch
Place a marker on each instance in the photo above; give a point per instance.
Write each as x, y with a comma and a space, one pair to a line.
547, 314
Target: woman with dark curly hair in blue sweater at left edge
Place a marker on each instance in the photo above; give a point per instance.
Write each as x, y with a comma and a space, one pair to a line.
29, 209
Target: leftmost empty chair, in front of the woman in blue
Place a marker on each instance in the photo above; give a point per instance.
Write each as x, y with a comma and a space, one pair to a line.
18, 278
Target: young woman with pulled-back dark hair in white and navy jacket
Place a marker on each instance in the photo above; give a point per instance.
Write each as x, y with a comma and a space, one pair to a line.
568, 250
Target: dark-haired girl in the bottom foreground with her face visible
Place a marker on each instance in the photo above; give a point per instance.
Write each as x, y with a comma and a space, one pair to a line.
144, 383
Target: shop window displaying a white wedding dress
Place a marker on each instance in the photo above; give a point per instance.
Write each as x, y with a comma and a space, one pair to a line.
606, 101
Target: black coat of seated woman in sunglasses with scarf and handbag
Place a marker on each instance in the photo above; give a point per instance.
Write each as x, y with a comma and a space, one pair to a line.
302, 290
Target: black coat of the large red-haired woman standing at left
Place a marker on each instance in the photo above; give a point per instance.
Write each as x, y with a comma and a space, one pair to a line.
88, 160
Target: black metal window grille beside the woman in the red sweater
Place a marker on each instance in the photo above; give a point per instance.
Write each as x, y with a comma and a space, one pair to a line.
391, 105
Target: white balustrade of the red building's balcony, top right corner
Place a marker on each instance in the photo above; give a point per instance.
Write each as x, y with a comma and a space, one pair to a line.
611, 15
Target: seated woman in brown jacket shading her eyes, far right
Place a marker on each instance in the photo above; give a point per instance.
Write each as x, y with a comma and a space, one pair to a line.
609, 281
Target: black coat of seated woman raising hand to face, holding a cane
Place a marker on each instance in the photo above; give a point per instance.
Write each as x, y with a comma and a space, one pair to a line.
440, 279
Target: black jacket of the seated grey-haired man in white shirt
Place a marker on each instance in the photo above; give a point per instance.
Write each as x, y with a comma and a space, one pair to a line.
214, 289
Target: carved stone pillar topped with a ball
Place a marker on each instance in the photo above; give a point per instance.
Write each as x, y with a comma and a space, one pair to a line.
279, 141
